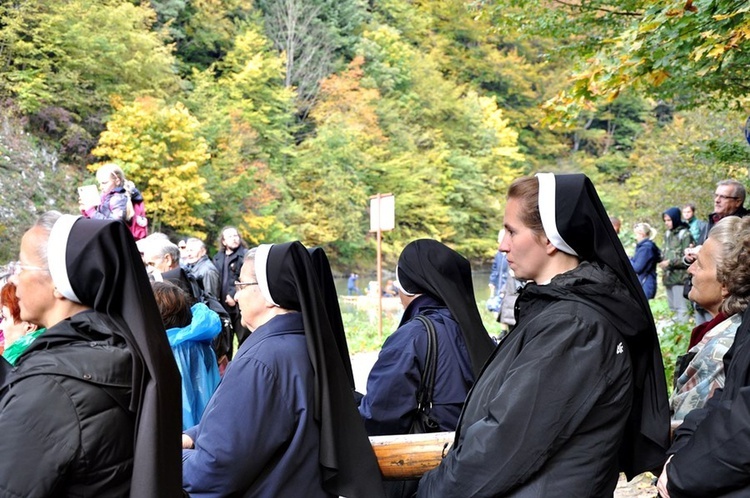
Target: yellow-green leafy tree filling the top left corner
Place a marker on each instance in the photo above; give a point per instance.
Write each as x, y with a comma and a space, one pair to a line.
77, 54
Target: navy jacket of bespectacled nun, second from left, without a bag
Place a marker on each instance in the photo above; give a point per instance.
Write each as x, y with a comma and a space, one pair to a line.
258, 436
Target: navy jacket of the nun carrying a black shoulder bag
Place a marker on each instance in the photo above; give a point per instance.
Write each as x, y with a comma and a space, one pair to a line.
390, 403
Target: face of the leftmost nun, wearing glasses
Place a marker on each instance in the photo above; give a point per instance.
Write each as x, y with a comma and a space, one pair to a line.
34, 288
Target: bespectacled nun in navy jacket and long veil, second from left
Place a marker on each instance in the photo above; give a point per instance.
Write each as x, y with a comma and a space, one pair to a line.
282, 422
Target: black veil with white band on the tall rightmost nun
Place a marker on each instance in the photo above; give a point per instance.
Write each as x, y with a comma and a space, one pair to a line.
570, 203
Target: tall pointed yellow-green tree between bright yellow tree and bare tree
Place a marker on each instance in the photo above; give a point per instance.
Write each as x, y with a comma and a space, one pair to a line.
246, 116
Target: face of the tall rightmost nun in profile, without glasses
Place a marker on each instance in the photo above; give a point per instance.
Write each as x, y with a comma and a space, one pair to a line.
527, 251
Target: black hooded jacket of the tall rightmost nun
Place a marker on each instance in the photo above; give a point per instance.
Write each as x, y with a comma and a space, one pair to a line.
547, 415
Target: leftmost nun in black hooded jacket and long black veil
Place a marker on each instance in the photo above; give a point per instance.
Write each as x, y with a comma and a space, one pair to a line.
92, 407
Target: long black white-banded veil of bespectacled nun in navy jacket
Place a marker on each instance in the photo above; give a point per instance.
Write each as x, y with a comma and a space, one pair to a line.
287, 278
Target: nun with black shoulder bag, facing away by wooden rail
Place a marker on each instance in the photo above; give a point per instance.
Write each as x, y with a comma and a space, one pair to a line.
434, 282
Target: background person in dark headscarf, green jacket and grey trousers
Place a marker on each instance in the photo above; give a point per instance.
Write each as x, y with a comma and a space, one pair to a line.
677, 239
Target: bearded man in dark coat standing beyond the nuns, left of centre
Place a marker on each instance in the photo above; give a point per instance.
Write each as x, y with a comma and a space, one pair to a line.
228, 261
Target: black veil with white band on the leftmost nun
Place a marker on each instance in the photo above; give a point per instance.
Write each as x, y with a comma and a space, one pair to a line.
96, 263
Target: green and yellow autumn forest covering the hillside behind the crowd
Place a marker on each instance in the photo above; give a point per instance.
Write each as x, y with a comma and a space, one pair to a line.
282, 117
